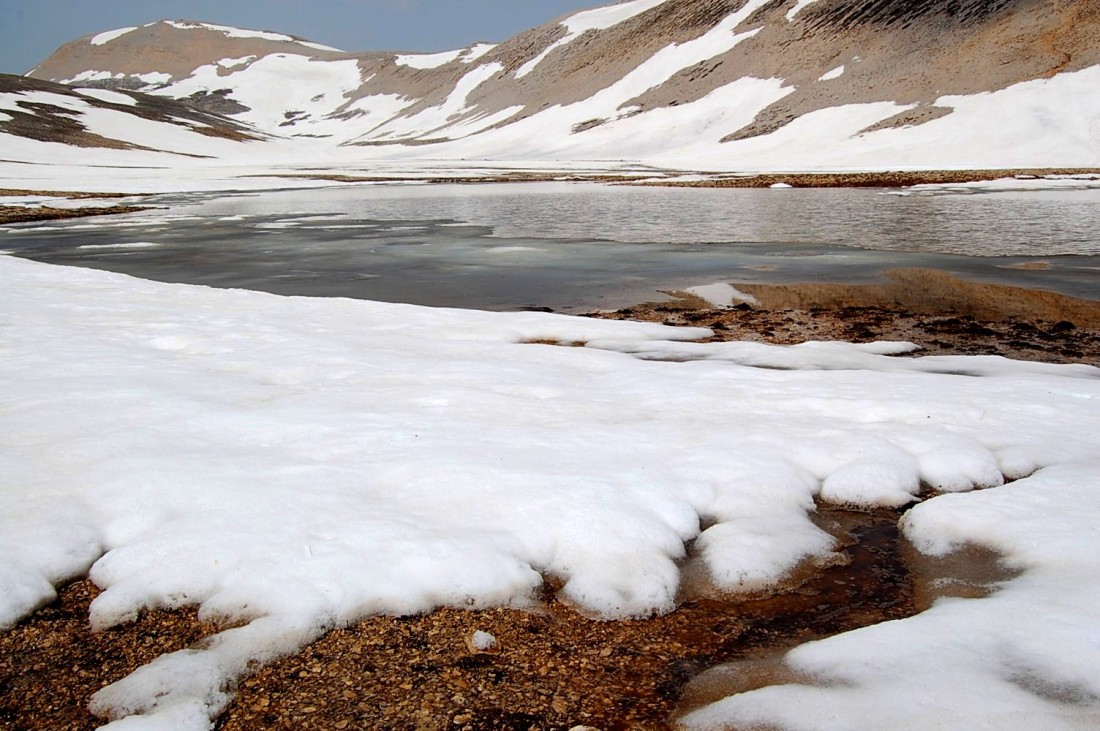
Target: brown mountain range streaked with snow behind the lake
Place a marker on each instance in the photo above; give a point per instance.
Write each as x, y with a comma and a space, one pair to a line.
691, 84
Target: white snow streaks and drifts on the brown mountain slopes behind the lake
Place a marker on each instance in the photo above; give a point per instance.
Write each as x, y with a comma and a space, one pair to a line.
1038, 124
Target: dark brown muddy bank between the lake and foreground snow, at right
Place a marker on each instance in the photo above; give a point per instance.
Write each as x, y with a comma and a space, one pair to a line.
941, 314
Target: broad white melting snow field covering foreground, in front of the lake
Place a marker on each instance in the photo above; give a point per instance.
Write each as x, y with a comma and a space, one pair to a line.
294, 464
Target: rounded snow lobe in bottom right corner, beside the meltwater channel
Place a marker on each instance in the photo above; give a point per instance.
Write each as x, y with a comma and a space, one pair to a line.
1022, 659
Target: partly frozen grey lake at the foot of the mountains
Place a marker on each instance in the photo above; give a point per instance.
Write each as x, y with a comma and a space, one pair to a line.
578, 247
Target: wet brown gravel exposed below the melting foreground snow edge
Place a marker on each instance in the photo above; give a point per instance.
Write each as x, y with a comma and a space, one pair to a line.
552, 670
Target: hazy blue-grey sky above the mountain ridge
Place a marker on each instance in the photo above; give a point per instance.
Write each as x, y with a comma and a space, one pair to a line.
31, 30
